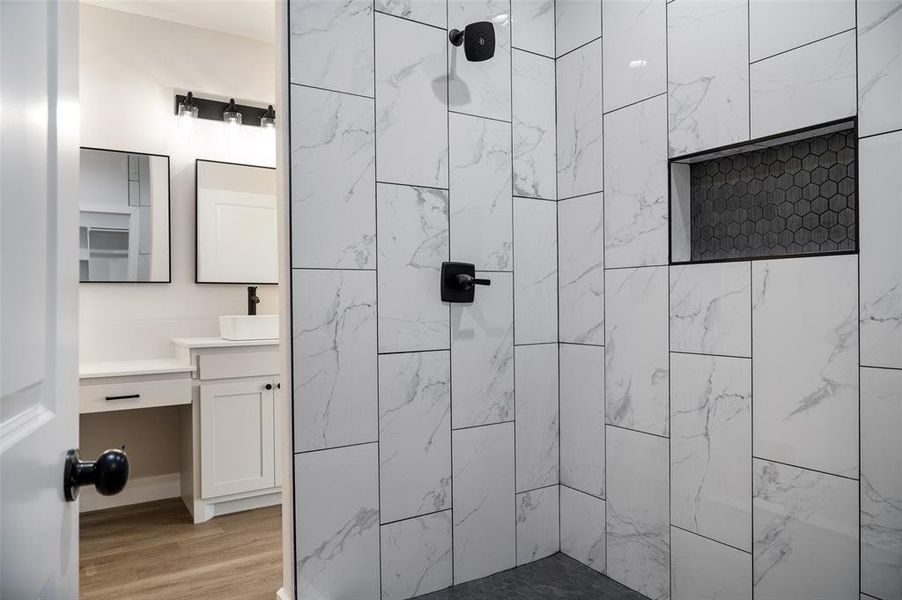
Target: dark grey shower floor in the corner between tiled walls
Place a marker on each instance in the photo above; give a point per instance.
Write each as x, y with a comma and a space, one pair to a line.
552, 578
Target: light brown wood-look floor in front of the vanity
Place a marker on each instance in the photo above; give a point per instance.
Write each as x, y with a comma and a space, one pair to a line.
154, 551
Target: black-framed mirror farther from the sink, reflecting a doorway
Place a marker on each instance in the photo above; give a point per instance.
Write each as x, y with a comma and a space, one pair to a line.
123, 221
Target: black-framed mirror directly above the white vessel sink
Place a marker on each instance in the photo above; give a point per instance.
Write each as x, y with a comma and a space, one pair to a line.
236, 223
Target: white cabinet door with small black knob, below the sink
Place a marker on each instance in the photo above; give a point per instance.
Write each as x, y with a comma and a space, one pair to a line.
237, 444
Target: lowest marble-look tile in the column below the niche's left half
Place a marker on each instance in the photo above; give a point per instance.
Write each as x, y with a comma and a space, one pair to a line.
705, 570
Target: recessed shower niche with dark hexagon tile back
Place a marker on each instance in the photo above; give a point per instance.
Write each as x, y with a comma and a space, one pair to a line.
787, 195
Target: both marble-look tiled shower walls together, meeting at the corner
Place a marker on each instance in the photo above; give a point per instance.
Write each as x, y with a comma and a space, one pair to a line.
725, 430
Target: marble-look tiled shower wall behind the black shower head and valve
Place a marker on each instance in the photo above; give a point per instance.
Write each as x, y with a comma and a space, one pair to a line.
415, 465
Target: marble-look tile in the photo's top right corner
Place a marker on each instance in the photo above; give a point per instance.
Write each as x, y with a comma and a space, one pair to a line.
879, 66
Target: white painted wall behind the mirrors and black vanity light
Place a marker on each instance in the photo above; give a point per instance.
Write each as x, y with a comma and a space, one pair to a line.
131, 67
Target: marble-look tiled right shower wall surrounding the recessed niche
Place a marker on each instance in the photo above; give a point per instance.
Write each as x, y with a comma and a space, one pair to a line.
728, 430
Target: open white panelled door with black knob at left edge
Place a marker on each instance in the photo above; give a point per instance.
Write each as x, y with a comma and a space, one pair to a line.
38, 296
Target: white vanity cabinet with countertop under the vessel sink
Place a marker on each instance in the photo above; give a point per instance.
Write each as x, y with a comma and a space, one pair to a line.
229, 432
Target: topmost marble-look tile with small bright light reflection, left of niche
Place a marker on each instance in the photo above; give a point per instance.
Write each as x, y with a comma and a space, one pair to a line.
635, 51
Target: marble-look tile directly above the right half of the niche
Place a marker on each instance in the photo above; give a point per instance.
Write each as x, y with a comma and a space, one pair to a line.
806, 86
